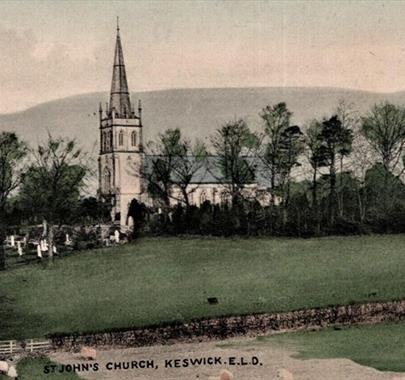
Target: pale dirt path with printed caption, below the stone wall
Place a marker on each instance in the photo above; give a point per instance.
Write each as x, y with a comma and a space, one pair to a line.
276, 363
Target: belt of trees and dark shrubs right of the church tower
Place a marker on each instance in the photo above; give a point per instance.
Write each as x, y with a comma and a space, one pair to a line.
338, 175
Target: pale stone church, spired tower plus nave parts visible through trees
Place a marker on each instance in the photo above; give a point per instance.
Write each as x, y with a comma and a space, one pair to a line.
121, 155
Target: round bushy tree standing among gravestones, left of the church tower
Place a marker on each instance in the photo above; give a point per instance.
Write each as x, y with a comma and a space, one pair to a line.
51, 187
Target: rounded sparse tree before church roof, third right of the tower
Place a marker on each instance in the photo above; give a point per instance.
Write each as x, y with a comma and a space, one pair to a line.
235, 147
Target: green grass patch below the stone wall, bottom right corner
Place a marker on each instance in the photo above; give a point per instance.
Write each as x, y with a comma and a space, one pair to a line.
381, 346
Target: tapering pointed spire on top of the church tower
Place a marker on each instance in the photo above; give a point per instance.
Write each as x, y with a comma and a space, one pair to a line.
119, 96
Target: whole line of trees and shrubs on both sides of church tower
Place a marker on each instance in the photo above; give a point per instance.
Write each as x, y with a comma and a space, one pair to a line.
338, 175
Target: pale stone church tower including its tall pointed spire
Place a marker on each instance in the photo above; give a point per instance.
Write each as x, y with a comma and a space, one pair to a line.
121, 152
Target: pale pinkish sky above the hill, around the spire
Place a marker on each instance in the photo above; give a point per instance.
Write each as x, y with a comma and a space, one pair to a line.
55, 49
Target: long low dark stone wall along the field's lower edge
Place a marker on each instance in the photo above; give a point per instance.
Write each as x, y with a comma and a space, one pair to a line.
225, 327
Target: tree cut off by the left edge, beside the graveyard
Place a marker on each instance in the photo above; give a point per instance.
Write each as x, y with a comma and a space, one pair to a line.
12, 153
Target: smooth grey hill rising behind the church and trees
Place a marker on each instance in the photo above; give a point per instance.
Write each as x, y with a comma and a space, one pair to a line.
197, 112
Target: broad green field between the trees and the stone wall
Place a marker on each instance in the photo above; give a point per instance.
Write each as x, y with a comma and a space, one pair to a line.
164, 279
